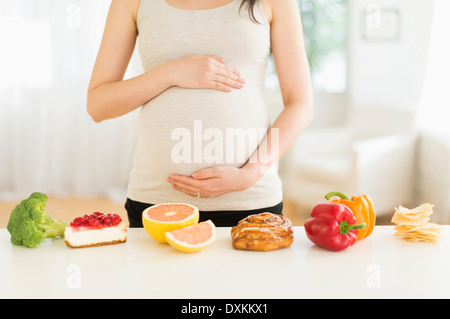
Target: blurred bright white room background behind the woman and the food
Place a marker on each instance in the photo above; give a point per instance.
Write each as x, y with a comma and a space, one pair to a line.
380, 73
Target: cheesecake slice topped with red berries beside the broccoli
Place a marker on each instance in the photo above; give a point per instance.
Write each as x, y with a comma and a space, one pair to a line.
94, 230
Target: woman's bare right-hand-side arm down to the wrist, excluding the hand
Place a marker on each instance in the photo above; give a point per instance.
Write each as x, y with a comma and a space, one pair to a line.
295, 83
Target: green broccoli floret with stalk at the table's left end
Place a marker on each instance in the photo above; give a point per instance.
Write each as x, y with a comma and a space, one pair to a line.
29, 224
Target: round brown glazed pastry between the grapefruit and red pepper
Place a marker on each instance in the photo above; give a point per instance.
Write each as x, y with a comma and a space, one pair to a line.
262, 232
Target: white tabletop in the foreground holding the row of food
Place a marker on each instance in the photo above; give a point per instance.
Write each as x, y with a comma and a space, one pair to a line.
381, 266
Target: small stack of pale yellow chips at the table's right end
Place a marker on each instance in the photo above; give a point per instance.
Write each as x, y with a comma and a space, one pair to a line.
414, 224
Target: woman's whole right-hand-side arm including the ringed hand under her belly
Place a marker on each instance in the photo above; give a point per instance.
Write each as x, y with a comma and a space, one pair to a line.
294, 75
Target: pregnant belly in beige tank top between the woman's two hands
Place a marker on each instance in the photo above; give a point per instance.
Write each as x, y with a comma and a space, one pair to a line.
184, 130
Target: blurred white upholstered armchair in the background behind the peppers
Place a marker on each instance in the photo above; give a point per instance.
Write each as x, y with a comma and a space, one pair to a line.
372, 154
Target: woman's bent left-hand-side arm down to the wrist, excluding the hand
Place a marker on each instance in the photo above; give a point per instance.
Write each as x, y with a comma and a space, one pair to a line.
108, 95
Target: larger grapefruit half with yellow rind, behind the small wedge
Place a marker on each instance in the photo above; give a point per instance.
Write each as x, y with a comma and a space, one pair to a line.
162, 218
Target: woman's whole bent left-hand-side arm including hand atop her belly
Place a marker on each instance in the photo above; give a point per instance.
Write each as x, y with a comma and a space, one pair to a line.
109, 96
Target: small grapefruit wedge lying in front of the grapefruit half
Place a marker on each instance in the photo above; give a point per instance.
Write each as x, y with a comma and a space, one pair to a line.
193, 238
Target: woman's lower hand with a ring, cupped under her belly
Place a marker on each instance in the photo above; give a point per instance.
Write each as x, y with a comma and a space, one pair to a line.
212, 182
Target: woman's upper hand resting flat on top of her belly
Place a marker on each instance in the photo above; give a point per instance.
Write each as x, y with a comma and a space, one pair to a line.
205, 72
